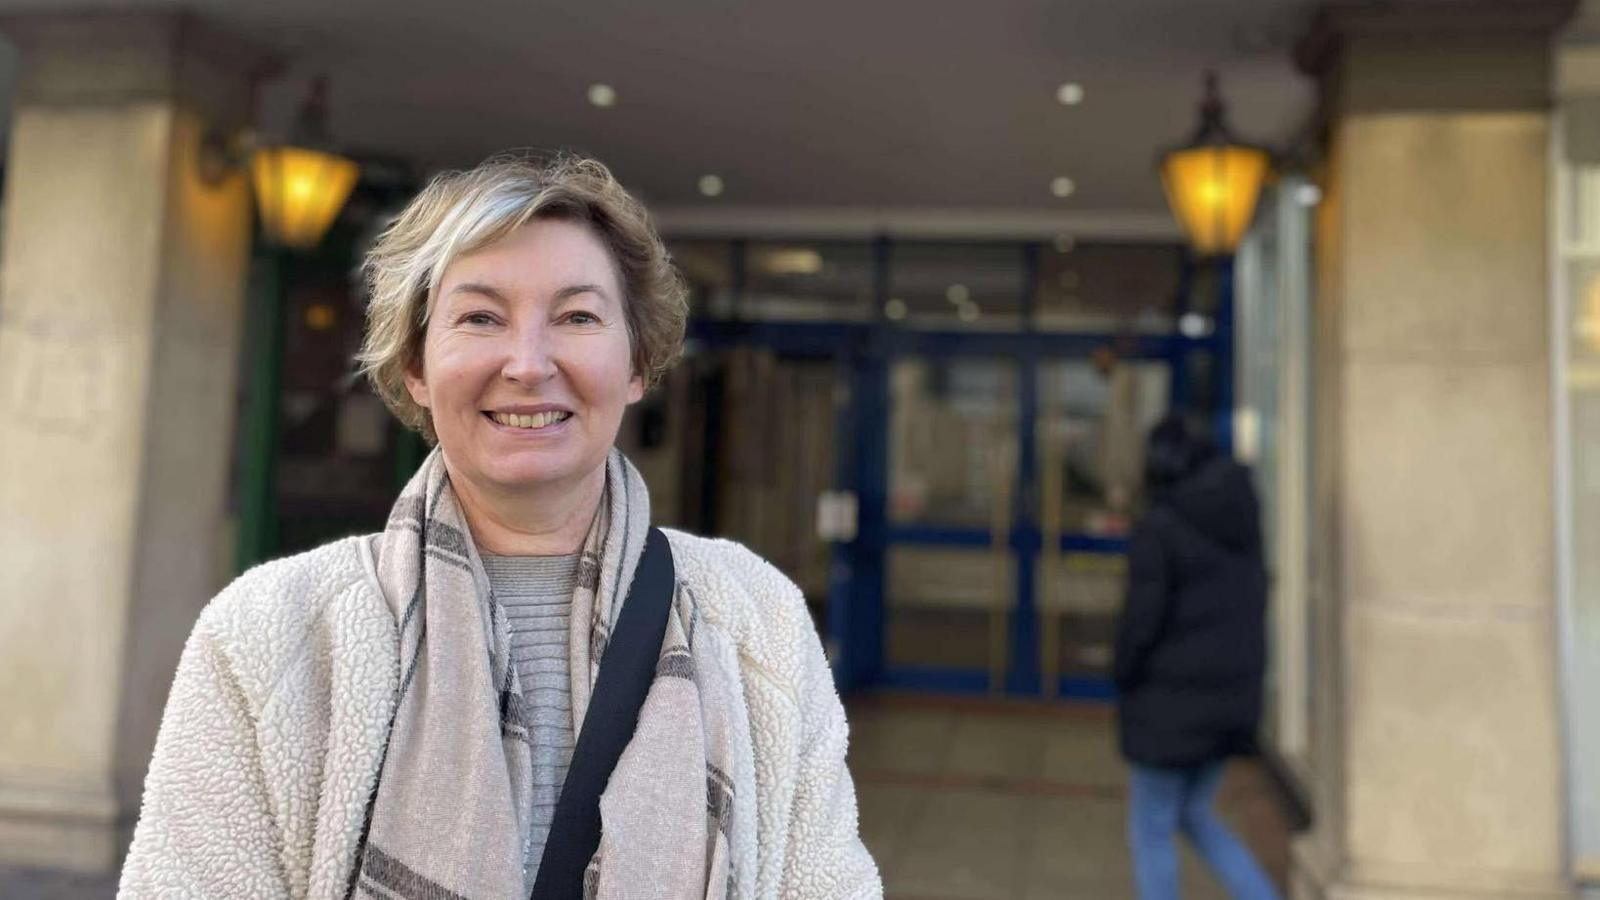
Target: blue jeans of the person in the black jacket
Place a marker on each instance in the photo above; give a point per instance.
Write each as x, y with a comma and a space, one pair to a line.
1164, 802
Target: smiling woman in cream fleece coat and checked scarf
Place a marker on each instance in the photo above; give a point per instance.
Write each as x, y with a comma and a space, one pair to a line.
396, 715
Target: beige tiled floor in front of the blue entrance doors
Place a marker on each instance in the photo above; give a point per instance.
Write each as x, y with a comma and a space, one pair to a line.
996, 800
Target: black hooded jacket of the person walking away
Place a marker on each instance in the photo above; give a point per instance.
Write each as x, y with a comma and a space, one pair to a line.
1191, 646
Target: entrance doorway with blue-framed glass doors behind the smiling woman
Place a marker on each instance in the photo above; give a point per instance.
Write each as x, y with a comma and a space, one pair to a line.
991, 464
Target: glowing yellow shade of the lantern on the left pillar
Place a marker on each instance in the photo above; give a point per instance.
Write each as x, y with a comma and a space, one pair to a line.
300, 193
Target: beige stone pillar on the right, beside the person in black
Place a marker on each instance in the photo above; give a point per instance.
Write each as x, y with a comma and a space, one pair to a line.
1436, 749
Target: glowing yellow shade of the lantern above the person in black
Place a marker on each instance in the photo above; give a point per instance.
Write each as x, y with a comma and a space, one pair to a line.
1214, 190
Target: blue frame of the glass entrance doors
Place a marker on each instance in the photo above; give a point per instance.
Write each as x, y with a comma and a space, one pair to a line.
863, 352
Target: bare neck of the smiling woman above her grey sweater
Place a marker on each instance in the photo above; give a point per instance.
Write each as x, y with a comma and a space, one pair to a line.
545, 521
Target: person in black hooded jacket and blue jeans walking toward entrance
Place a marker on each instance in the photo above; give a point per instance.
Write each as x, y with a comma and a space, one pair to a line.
1191, 653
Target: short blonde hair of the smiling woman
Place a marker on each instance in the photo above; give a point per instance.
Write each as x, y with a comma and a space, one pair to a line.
463, 212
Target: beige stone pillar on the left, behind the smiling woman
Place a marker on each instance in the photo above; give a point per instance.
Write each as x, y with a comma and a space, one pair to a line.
121, 295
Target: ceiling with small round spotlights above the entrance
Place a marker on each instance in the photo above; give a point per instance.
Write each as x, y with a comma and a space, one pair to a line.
937, 106
